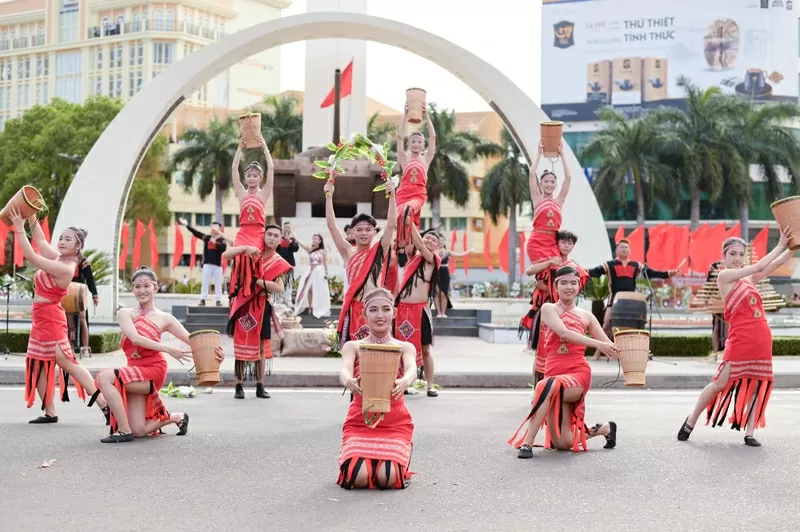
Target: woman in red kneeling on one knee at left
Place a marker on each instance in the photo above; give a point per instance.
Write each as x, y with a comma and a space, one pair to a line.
132, 391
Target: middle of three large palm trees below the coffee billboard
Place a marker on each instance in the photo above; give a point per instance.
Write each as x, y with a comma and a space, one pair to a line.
698, 150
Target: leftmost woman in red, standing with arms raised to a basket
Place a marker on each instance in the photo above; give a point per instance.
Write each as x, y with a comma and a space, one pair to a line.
49, 344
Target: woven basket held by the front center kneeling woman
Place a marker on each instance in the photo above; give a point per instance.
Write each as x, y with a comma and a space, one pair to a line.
378, 364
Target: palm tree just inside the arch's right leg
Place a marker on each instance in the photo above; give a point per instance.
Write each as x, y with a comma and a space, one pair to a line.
504, 189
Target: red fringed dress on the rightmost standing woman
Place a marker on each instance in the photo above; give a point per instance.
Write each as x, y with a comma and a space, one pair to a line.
748, 352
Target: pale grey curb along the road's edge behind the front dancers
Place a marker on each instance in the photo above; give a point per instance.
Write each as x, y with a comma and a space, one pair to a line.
785, 381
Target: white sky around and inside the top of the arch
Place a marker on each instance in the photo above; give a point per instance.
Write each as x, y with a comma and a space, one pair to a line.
505, 33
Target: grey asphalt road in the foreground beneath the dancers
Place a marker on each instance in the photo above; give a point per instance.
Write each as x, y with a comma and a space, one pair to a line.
272, 465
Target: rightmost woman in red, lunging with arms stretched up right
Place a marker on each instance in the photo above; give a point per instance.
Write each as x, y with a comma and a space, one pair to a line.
744, 379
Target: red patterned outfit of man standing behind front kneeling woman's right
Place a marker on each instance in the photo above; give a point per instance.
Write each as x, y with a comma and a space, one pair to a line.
409, 325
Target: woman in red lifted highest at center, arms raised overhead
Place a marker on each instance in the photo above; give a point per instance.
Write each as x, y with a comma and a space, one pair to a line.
413, 190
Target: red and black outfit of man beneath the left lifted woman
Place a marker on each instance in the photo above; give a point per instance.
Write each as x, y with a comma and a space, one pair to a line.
252, 319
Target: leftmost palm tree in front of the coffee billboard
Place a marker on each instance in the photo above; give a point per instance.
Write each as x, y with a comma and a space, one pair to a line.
629, 149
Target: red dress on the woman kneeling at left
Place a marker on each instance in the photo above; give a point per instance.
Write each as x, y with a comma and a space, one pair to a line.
144, 365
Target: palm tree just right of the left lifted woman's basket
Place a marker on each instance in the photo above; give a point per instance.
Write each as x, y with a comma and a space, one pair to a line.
282, 127
